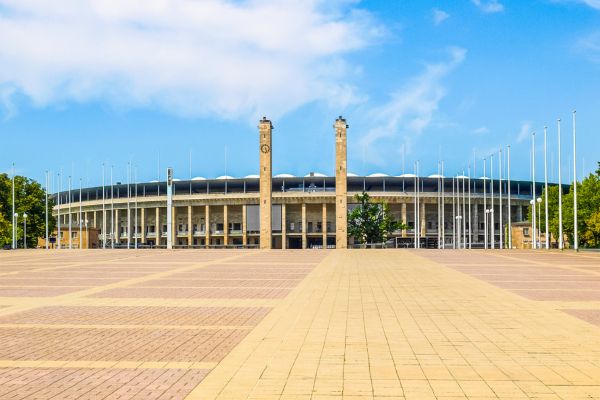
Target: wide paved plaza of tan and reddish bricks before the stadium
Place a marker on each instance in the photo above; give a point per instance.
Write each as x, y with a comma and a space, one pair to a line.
312, 324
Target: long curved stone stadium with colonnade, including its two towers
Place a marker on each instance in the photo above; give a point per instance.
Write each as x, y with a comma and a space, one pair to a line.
305, 212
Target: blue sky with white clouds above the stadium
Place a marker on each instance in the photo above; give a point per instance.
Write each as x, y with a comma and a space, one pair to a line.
98, 81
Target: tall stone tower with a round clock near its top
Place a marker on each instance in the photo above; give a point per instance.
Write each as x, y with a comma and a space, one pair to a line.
265, 128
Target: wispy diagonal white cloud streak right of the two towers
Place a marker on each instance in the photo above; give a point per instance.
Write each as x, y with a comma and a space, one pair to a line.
410, 110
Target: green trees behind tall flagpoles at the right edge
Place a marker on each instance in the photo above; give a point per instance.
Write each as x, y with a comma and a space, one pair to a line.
588, 211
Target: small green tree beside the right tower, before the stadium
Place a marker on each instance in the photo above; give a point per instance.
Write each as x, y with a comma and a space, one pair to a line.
371, 222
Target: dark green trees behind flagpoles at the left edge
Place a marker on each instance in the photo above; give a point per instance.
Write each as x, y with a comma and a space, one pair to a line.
30, 199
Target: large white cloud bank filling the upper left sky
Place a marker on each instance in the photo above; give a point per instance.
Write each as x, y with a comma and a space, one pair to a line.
222, 57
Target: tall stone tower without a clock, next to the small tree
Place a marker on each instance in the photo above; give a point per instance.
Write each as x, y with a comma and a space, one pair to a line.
341, 190
